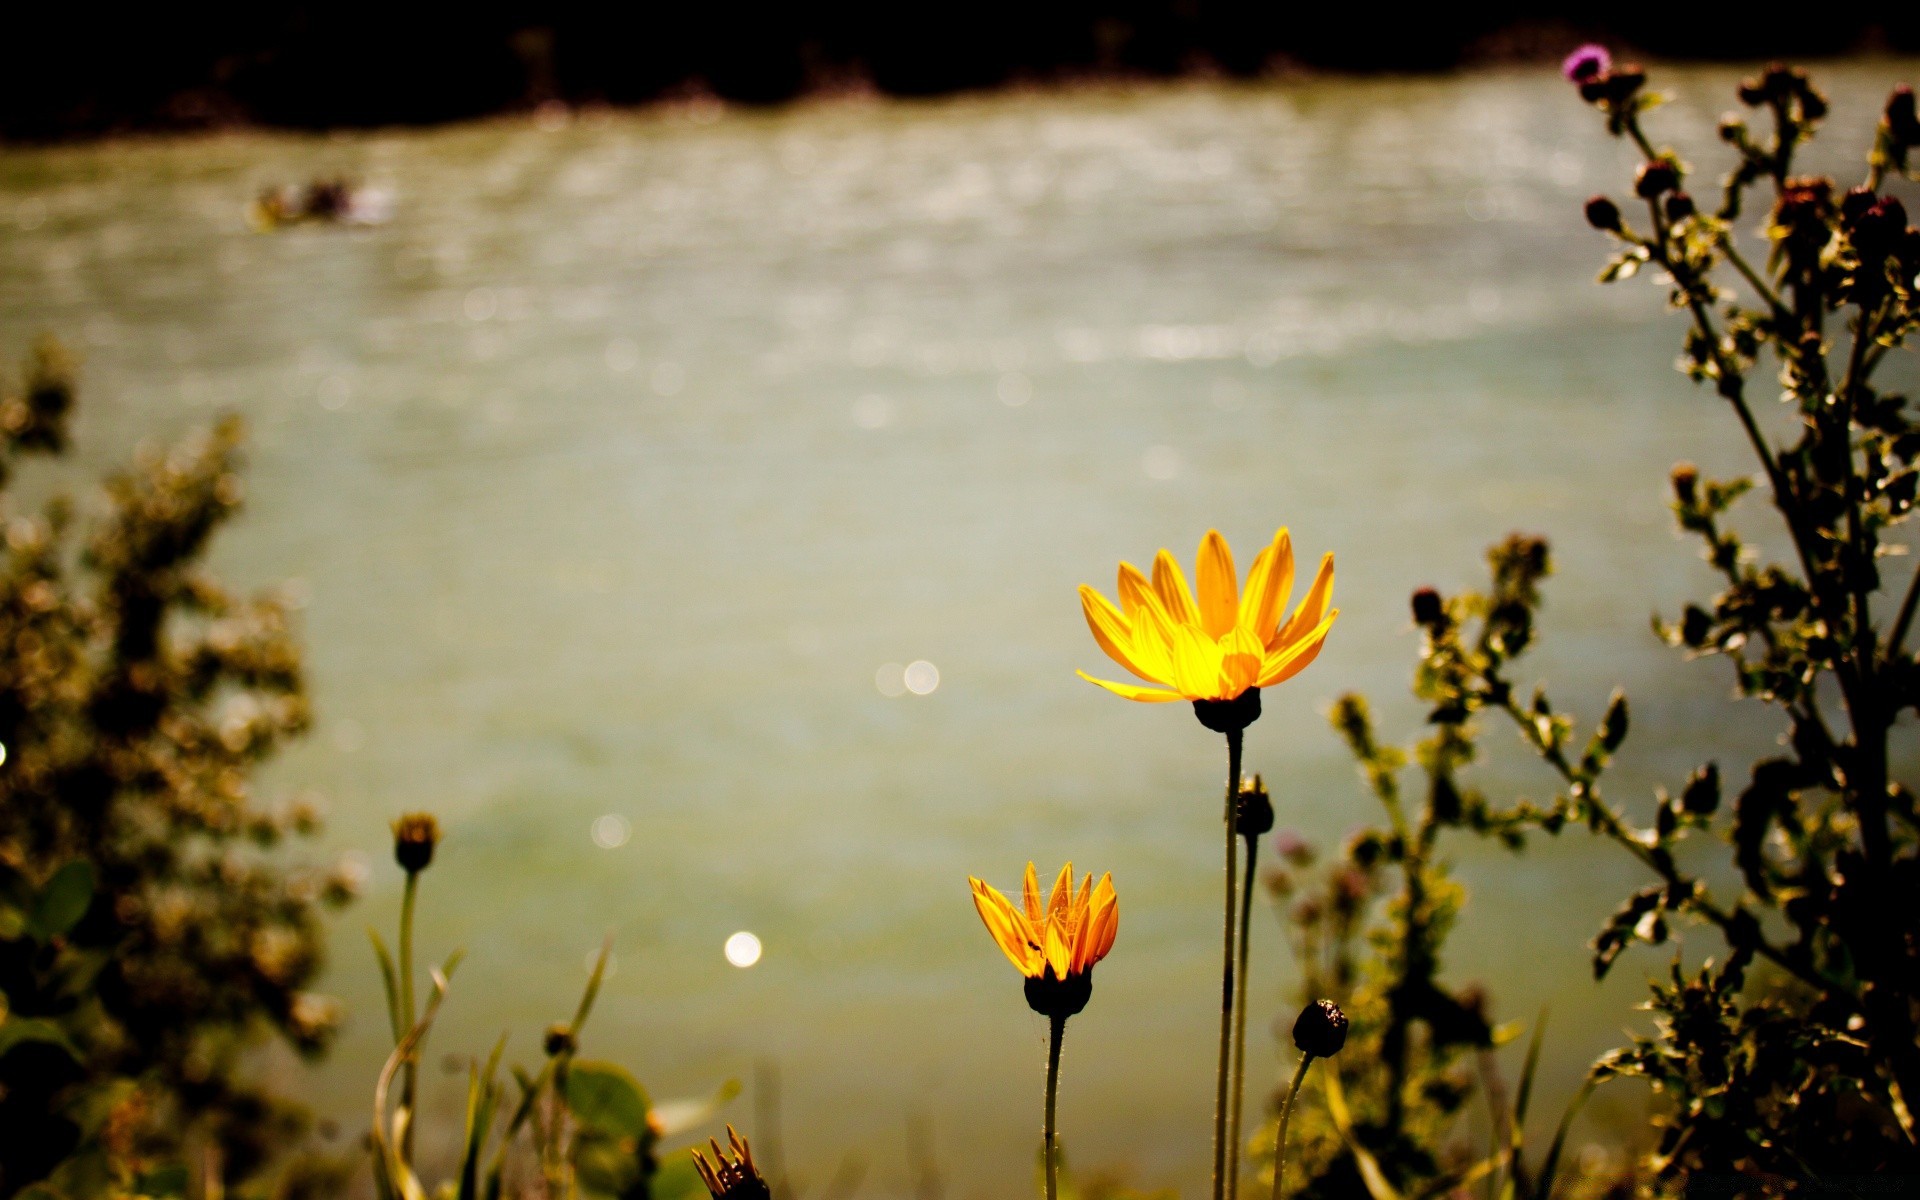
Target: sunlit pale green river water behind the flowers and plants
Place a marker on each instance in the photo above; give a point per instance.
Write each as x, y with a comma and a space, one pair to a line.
625, 469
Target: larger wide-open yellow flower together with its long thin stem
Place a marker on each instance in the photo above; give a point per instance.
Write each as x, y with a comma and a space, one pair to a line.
1216, 652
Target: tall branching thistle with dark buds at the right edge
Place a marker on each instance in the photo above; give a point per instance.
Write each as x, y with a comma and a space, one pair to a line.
1790, 1055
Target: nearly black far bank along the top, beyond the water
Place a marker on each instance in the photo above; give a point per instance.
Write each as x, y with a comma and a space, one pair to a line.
76, 70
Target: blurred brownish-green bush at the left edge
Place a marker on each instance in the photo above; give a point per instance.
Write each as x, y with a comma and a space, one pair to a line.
149, 936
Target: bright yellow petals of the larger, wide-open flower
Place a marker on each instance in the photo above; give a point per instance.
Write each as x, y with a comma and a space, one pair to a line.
1226, 642
